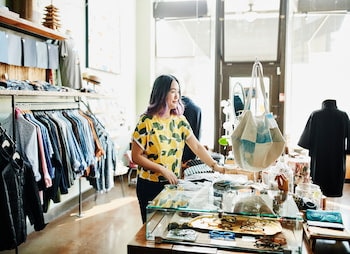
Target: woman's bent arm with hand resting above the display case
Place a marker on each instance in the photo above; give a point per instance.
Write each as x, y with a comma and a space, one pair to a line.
140, 159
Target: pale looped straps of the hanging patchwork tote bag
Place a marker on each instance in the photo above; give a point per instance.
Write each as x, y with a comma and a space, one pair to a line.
257, 75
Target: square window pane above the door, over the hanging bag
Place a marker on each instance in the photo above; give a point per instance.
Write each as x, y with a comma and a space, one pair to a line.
251, 30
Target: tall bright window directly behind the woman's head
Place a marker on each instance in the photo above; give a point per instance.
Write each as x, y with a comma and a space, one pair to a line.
184, 35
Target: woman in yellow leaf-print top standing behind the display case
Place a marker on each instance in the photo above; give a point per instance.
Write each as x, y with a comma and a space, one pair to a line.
159, 139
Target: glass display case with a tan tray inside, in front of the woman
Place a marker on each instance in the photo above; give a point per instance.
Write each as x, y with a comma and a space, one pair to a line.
225, 215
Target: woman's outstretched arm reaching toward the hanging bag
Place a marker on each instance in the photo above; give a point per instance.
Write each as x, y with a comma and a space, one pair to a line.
203, 154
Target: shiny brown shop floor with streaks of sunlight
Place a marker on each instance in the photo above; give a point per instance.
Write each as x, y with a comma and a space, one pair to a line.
110, 221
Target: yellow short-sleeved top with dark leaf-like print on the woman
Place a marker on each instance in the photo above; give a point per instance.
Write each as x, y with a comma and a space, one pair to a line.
163, 141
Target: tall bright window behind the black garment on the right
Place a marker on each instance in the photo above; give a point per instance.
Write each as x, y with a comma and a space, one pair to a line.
318, 62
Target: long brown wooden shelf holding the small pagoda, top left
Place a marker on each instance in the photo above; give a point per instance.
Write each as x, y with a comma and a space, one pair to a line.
22, 25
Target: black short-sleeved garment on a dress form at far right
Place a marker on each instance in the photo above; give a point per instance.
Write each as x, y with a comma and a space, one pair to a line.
326, 136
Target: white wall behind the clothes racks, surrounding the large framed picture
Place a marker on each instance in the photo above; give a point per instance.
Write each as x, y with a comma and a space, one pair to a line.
119, 109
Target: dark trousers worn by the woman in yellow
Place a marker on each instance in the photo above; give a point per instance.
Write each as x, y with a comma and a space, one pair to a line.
146, 191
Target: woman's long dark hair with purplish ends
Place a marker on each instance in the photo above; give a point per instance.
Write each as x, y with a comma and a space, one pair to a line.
157, 101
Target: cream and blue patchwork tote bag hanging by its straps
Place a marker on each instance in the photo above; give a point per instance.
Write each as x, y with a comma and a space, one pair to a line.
257, 142
